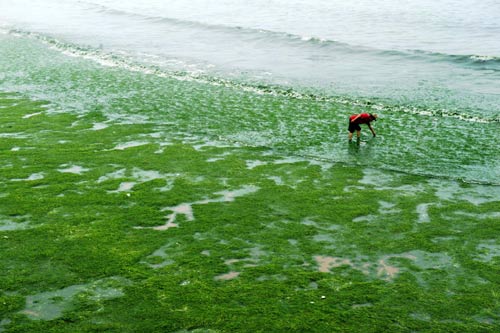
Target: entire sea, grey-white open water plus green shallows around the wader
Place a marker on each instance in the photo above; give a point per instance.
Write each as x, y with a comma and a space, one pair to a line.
280, 74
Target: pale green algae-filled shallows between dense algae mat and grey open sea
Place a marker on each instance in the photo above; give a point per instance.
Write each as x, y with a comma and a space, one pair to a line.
450, 143
